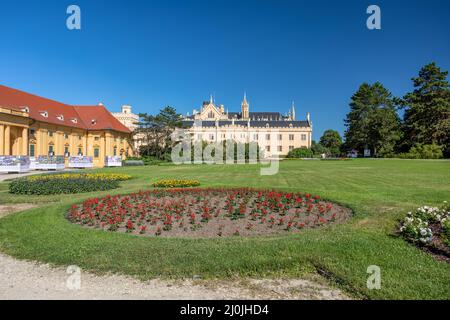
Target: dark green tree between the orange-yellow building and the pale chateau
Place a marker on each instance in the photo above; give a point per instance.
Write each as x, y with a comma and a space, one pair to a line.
157, 131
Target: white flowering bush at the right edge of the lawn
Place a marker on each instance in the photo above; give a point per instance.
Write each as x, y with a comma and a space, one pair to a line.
427, 224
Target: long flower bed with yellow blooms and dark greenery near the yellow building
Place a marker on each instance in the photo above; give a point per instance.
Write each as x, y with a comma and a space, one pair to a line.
66, 183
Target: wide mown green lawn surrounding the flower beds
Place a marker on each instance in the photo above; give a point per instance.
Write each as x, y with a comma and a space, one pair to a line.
379, 192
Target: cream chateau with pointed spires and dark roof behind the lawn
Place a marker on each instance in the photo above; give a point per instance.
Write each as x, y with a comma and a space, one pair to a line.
275, 134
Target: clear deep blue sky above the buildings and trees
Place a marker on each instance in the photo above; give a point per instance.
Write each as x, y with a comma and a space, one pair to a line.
155, 53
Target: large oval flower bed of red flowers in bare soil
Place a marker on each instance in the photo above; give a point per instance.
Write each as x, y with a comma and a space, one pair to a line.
207, 212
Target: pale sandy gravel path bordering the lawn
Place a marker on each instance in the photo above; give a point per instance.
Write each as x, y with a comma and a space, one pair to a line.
29, 280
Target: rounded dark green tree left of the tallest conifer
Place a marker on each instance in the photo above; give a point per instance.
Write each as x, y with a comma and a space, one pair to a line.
373, 121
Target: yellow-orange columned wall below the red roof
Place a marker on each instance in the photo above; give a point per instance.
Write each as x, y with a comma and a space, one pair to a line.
20, 135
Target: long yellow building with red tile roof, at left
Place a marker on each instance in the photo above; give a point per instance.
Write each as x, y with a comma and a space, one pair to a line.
34, 126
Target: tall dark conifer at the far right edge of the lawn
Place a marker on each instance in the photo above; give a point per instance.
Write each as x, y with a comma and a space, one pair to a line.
427, 109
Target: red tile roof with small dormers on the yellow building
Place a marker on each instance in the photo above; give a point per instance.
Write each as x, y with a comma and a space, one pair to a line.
50, 111
